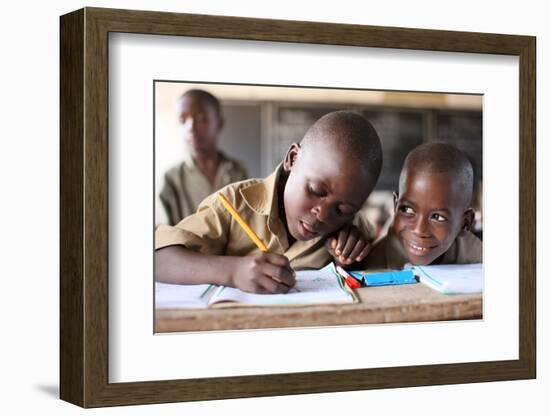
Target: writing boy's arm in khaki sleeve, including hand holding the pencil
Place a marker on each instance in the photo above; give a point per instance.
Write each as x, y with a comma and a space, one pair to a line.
194, 252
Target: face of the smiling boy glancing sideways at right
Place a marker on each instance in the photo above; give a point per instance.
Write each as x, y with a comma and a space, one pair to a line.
429, 215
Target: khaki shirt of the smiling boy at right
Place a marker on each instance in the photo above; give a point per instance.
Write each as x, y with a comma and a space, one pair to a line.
389, 253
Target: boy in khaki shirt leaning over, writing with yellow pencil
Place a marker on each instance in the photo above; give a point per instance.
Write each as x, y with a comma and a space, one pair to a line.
304, 213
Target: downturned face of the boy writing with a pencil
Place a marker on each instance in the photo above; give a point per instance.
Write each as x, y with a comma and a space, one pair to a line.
323, 191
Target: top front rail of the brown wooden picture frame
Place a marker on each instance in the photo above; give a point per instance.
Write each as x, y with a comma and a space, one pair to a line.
225, 27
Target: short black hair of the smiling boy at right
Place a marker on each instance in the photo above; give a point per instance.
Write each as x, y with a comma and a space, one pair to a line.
437, 157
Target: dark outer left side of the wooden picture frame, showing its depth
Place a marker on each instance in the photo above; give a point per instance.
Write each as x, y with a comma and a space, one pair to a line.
71, 216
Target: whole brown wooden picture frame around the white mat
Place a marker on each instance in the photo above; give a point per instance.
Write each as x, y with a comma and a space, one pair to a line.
84, 207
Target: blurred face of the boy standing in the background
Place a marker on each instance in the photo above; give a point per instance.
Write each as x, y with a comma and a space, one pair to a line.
200, 124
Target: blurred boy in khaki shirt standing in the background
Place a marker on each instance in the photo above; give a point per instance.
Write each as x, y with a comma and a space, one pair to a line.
205, 168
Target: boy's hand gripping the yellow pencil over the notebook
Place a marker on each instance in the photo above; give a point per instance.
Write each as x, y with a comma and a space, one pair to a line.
263, 273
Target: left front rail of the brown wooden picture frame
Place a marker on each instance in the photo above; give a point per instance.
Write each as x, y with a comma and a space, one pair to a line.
96, 218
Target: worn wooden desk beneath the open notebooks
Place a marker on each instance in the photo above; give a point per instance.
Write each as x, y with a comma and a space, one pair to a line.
403, 303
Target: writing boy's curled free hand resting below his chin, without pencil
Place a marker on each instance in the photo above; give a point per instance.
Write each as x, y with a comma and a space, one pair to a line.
348, 245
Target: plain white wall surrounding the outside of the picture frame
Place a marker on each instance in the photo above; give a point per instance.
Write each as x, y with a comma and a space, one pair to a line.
29, 213
